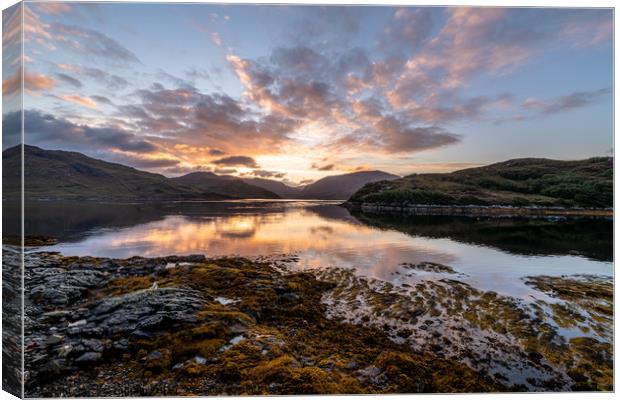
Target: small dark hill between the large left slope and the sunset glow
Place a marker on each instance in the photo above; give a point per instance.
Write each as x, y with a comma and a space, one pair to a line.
224, 185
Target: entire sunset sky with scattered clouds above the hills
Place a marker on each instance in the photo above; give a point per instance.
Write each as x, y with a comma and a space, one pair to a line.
296, 93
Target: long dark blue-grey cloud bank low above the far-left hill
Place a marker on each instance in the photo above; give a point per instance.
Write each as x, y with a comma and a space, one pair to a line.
47, 130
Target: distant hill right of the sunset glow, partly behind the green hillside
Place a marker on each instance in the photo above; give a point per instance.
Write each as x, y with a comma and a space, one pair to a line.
341, 187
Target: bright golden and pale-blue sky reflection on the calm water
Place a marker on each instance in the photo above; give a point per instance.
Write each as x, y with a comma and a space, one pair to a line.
321, 235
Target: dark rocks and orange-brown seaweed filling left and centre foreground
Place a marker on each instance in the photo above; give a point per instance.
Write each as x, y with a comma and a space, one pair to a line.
195, 326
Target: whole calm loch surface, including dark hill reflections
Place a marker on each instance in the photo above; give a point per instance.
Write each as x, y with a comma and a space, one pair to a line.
489, 254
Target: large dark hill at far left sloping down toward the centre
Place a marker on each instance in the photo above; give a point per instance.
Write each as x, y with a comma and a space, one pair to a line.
56, 175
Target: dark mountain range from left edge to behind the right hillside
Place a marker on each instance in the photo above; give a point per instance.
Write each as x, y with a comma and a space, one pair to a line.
56, 175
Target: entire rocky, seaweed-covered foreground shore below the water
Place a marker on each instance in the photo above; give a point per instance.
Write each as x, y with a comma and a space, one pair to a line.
197, 326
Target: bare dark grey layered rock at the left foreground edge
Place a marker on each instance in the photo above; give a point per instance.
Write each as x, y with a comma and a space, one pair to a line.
67, 327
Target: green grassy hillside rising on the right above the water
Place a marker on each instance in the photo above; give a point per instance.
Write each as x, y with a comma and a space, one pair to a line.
519, 182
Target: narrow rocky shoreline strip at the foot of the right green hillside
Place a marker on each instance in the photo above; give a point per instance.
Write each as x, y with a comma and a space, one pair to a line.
496, 211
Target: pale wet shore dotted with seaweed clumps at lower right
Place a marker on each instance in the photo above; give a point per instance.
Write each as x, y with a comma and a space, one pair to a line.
539, 345
